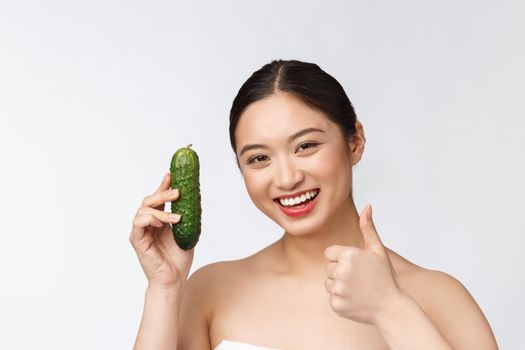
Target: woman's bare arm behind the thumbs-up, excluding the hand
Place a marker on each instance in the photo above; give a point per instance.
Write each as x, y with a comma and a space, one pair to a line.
449, 318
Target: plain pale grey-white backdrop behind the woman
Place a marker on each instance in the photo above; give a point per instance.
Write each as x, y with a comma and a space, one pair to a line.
95, 97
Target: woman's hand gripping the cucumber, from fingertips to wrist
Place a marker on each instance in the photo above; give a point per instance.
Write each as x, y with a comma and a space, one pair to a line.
164, 263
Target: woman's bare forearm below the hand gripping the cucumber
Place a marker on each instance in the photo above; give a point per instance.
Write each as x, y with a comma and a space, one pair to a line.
158, 327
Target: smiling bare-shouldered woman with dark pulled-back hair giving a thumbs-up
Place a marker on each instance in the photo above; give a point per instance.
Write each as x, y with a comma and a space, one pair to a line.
328, 282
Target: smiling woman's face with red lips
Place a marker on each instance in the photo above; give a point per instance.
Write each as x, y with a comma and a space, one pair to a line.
277, 164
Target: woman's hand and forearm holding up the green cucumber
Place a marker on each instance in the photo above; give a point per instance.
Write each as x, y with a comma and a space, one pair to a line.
165, 265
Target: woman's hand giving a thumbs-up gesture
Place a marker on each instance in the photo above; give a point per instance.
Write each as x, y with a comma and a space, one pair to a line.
361, 282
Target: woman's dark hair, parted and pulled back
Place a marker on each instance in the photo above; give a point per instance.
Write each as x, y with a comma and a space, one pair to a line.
304, 80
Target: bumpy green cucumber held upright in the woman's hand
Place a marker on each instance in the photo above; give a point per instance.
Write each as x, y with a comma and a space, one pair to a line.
184, 172
